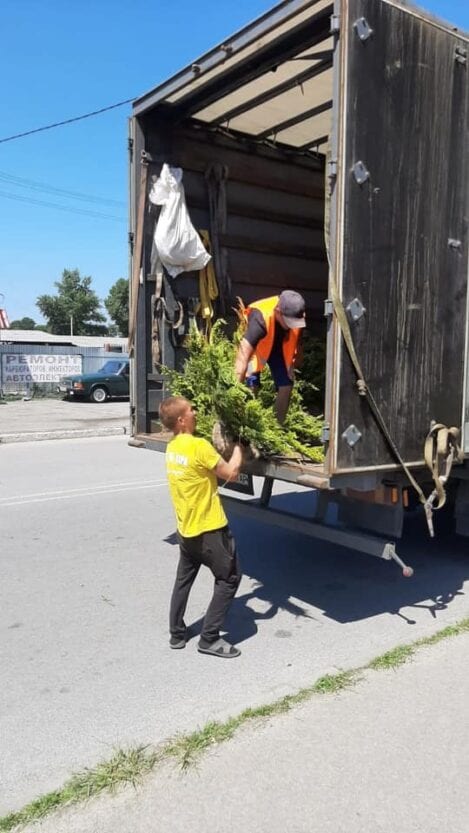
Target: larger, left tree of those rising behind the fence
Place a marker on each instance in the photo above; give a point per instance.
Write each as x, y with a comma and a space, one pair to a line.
75, 309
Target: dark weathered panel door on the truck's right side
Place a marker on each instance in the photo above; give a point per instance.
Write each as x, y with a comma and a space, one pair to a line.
401, 233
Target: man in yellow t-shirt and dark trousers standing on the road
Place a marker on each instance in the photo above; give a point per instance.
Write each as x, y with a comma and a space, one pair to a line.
193, 466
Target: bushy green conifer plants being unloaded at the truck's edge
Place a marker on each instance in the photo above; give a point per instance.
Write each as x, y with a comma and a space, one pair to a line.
209, 382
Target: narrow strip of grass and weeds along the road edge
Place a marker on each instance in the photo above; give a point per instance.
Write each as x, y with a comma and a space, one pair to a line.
129, 766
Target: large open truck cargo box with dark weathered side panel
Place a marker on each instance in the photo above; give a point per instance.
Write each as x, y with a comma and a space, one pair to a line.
325, 149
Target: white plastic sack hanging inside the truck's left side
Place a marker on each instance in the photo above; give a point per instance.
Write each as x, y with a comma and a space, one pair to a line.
179, 246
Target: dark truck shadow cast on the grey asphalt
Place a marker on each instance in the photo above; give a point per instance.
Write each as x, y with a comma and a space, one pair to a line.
293, 573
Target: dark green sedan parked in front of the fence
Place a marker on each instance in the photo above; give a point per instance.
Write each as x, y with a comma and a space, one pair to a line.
111, 380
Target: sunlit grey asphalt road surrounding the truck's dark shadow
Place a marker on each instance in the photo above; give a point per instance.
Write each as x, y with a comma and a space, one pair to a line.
88, 557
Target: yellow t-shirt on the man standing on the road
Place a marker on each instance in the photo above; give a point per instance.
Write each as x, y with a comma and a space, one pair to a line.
190, 463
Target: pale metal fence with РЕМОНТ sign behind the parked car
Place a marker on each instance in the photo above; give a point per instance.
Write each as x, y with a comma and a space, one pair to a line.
29, 369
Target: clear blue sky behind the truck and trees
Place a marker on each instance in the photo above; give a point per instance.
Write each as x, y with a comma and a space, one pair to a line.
64, 58
